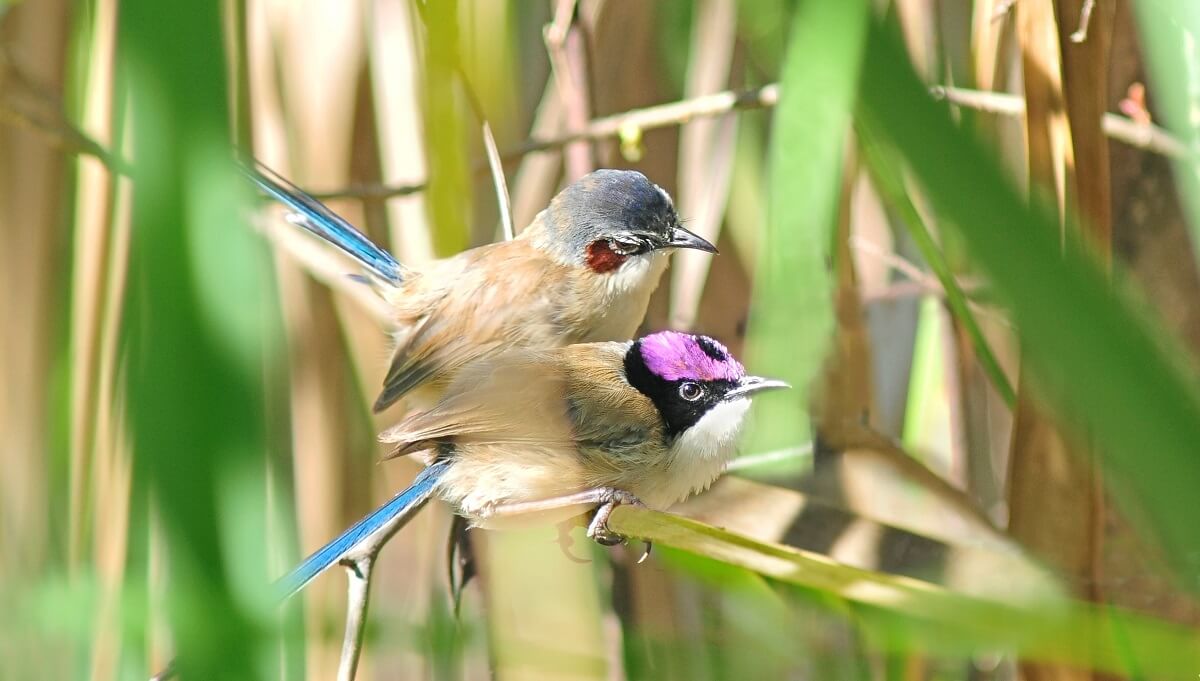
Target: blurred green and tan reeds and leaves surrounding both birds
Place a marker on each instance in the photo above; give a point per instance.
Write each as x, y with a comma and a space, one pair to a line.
967, 228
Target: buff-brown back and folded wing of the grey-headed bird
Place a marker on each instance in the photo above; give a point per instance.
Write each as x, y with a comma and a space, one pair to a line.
491, 299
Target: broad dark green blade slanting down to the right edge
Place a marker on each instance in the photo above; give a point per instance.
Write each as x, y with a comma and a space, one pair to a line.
1102, 363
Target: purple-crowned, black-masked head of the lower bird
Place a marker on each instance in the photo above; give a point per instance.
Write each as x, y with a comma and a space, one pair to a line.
688, 377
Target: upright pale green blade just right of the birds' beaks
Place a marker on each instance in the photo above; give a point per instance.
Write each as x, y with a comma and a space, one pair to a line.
793, 315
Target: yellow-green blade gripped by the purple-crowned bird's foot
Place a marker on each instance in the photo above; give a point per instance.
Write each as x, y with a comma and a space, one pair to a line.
905, 614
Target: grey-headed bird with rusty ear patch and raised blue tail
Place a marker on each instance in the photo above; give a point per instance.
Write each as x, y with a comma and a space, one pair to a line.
583, 272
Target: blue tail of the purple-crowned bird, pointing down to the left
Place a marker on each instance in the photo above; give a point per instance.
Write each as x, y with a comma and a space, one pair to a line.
400, 510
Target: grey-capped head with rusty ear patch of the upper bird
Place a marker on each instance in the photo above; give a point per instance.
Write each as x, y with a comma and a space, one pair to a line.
609, 218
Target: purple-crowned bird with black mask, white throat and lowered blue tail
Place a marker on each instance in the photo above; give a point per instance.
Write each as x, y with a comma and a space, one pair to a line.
549, 435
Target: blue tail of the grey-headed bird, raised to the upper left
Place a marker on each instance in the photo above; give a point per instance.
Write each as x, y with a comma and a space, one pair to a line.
317, 219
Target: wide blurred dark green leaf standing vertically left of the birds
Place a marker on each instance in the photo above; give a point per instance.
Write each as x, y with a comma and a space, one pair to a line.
201, 334
